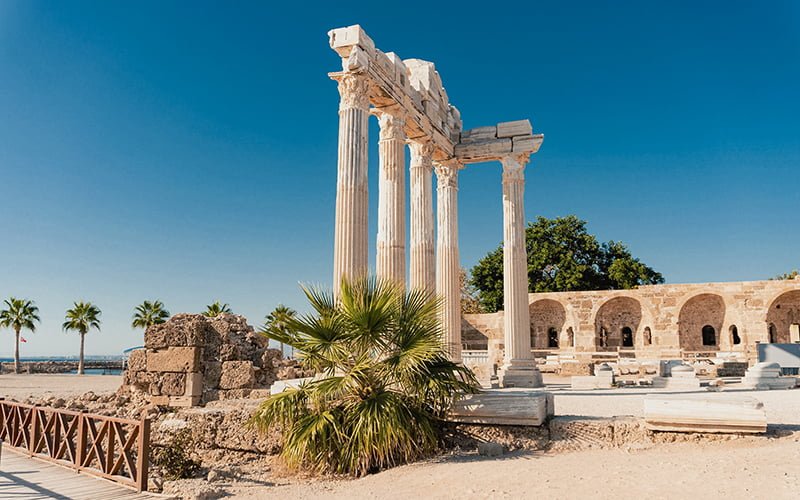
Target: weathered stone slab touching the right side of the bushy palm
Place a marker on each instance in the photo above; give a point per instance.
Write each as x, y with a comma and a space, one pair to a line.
504, 407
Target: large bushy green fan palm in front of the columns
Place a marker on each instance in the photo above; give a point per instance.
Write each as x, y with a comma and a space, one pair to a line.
384, 379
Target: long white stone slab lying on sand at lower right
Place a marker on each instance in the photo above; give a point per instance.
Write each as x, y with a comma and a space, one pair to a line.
715, 413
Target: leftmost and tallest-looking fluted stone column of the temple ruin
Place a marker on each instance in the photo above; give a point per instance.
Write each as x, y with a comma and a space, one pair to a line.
350, 250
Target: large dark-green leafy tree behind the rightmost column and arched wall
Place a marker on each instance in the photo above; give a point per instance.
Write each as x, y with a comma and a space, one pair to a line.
563, 256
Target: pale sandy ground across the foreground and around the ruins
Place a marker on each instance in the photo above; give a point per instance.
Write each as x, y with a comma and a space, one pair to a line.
743, 468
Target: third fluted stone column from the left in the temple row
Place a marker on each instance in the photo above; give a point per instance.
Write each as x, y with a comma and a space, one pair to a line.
423, 254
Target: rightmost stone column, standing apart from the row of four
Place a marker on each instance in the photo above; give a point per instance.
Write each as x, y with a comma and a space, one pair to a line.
519, 368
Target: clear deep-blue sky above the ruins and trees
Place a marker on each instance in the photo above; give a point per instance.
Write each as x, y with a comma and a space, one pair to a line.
187, 151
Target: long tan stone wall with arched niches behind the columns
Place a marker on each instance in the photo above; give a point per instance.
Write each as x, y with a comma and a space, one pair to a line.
664, 319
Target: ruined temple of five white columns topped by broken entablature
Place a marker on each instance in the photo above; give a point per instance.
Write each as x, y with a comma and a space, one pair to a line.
412, 108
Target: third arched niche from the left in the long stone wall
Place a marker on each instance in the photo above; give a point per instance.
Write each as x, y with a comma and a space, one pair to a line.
697, 315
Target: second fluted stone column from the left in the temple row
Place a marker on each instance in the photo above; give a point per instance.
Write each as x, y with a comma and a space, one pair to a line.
390, 262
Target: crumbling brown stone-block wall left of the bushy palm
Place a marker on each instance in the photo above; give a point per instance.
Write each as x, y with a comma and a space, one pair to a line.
192, 359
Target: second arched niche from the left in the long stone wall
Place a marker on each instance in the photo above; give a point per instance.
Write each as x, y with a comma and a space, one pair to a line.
612, 318
